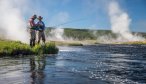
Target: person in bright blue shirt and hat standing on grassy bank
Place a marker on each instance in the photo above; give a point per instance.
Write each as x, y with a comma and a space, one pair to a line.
41, 28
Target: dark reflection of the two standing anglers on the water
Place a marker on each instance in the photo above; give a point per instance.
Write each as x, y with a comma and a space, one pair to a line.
37, 69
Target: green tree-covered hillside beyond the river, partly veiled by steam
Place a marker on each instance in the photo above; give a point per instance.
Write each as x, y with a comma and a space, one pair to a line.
87, 34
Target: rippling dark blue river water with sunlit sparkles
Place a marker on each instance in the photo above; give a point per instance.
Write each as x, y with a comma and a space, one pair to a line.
98, 64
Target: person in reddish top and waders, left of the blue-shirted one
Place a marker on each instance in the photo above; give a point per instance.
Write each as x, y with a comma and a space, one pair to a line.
33, 27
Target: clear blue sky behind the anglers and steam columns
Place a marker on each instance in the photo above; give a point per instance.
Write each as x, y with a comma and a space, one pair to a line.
91, 14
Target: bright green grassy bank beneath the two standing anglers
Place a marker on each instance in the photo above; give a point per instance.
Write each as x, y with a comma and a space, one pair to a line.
13, 48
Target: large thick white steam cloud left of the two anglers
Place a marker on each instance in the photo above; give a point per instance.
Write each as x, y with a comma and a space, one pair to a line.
12, 24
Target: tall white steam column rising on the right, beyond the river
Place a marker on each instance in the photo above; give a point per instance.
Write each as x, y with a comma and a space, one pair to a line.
120, 22
